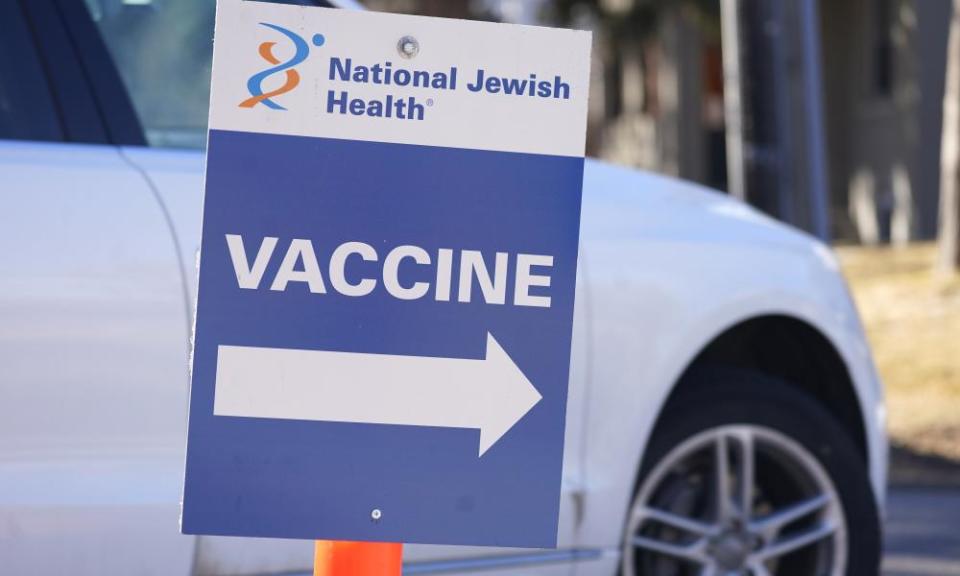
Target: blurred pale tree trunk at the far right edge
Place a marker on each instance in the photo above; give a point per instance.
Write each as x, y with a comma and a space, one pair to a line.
950, 153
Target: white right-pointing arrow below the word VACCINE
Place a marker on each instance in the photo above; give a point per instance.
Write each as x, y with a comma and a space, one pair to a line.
490, 394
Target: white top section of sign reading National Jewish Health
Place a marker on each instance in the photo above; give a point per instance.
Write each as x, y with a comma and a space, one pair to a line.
550, 121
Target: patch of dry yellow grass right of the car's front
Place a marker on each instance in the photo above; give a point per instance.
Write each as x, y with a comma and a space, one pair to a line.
912, 317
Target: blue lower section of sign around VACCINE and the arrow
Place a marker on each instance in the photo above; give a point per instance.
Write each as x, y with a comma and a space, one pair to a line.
321, 480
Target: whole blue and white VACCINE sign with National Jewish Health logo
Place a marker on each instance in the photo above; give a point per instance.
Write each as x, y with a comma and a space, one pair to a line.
387, 278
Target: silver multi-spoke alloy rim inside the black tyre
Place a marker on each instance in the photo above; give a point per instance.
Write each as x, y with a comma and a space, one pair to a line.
740, 500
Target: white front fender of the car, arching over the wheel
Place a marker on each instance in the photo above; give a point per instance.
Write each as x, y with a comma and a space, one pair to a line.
670, 266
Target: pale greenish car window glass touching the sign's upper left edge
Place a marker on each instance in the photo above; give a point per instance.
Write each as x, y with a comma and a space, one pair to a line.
162, 50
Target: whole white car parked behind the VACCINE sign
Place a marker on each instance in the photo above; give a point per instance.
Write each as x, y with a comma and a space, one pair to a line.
725, 416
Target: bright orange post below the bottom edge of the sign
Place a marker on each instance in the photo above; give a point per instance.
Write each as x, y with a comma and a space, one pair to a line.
334, 558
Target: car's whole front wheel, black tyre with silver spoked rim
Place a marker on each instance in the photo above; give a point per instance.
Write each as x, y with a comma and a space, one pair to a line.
747, 475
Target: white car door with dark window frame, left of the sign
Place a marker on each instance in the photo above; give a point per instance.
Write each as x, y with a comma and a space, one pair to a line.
93, 323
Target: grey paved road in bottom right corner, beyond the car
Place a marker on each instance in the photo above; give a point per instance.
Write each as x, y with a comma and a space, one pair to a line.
923, 533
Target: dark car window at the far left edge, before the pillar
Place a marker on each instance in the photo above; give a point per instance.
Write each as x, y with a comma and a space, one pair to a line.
27, 111
